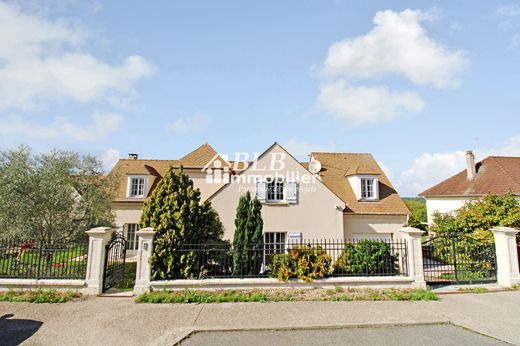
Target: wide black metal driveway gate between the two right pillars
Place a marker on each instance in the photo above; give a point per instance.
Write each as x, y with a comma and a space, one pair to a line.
458, 260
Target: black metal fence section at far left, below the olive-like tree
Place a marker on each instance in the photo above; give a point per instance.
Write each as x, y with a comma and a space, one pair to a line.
37, 260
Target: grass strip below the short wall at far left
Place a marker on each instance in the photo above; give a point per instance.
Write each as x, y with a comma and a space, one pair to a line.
39, 296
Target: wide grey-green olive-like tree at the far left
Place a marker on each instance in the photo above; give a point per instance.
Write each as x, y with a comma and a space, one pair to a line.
52, 197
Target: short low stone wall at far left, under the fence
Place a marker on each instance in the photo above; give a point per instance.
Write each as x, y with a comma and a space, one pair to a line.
34, 284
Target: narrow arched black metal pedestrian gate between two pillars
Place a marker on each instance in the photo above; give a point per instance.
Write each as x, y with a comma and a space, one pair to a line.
115, 256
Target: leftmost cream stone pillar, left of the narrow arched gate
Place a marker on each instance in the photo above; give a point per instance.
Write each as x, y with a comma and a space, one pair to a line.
98, 239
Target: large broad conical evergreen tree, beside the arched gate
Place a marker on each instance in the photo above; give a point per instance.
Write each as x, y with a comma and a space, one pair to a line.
175, 212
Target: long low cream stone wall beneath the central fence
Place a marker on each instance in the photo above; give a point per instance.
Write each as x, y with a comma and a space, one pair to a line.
250, 283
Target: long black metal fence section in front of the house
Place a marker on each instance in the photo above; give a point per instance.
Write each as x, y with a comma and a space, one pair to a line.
340, 258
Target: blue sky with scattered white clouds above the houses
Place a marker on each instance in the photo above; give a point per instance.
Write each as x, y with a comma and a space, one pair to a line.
415, 84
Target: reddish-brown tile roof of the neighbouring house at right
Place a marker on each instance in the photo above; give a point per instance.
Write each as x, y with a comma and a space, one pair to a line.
495, 174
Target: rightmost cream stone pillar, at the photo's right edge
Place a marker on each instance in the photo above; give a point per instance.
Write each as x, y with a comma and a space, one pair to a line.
507, 256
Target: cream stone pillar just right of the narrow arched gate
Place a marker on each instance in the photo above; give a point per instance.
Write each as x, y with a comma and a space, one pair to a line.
142, 277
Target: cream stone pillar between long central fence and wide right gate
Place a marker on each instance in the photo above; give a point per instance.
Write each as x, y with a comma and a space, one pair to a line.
412, 236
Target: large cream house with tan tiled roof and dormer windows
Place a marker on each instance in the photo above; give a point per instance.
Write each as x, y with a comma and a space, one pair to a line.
333, 196
